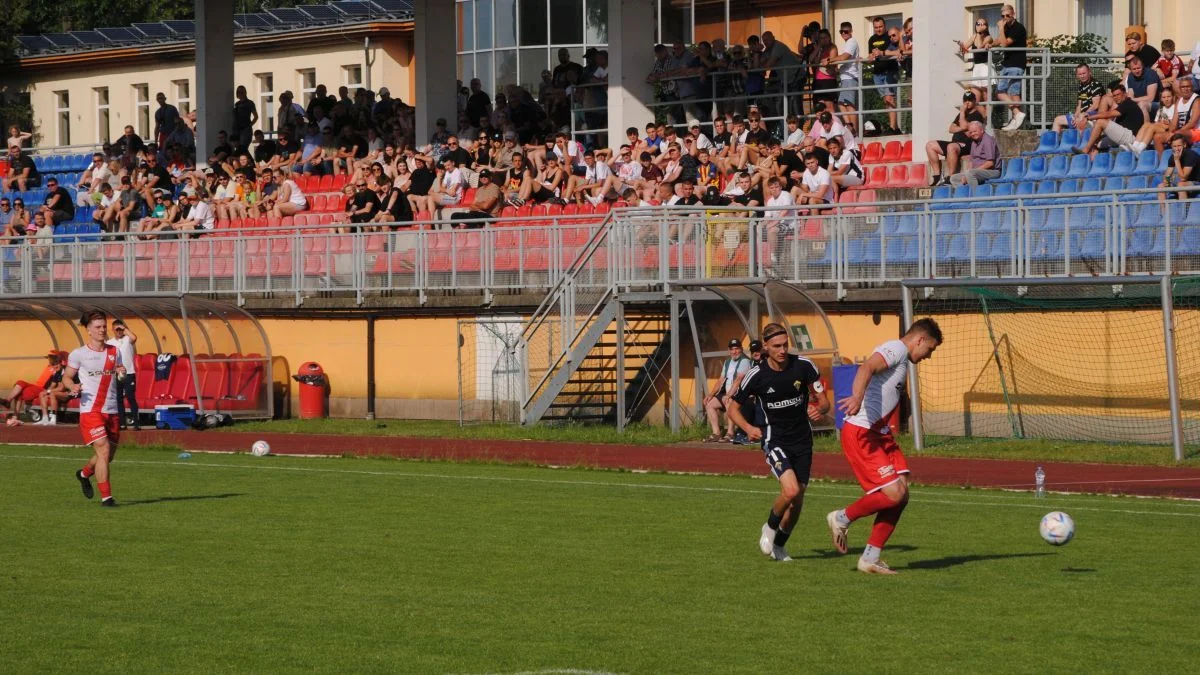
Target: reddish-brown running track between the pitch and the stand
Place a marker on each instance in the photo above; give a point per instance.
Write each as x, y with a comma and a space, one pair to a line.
1149, 481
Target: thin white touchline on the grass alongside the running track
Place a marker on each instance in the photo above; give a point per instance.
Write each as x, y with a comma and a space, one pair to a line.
602, 485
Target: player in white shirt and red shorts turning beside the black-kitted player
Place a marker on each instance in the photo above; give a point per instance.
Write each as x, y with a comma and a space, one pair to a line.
871, 446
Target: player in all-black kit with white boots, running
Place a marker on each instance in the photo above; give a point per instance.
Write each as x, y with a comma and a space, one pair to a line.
782, 385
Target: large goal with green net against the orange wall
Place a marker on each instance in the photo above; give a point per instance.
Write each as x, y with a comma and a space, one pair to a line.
1052, 360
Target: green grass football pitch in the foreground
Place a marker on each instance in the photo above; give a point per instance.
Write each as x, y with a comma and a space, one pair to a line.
226, 564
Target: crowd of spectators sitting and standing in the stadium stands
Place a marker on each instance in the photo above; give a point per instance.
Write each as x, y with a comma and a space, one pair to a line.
356, 159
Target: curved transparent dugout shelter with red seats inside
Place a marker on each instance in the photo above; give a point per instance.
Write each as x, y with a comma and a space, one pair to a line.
193, 351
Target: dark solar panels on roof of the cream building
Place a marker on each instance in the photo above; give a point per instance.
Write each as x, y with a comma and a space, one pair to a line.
272, 22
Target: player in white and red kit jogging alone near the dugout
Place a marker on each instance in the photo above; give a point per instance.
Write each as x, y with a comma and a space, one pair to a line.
98, 366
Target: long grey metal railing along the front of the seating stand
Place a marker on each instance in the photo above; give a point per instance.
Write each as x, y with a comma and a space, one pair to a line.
1078, 234
